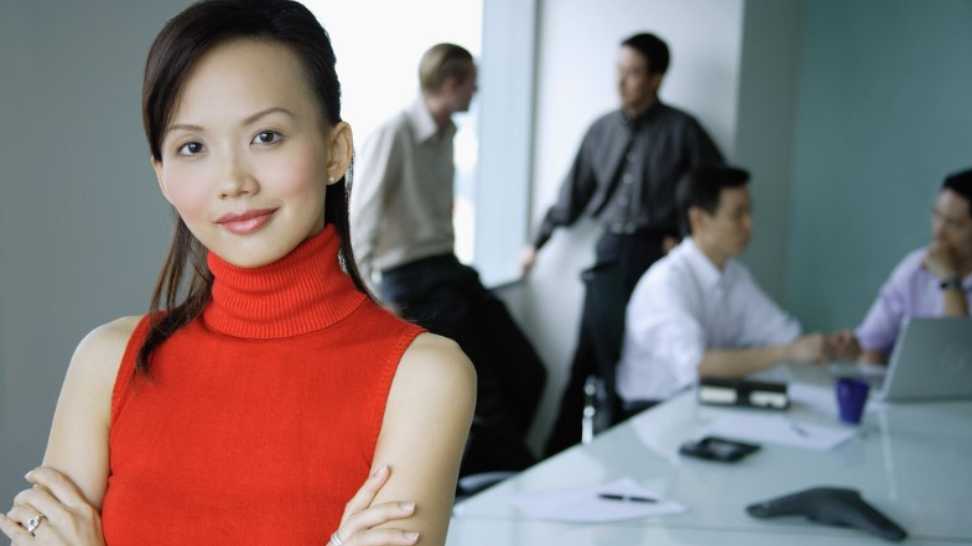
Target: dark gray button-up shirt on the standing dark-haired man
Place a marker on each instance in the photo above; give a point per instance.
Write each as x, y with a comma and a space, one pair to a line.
626, 171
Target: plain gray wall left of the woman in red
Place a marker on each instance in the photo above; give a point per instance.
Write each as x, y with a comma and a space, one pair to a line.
82, 225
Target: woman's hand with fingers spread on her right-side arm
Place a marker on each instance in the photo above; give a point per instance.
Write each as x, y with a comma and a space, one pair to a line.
358, 523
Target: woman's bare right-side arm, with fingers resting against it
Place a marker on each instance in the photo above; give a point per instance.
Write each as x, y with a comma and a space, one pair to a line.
427, 419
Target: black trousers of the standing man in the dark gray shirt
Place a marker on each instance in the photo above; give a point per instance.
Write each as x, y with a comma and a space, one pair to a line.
620, 260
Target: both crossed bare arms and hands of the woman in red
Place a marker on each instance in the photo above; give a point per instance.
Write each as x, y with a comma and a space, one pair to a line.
433, 389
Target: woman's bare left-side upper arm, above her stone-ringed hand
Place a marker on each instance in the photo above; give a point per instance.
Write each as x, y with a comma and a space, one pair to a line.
78, 442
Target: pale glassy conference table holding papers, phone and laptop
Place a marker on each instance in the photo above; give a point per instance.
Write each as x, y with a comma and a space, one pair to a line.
911, 461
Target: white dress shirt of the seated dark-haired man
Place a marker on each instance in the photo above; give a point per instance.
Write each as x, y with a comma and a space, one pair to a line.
683, 306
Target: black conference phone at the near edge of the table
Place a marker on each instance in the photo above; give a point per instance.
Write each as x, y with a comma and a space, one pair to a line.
836, 506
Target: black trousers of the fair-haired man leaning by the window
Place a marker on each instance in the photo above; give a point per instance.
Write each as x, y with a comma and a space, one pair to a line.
447, 298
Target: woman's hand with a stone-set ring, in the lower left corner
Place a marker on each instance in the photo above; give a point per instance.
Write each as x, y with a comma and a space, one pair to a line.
52, 513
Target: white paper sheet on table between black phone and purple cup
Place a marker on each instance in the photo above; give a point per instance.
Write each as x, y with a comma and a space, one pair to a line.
779, 429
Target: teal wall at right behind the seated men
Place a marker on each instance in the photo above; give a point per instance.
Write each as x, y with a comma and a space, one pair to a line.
884, 113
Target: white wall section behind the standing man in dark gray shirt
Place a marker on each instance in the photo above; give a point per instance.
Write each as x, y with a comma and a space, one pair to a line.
578, 42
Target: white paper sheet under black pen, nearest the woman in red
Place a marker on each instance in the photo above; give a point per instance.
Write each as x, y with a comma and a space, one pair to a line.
584, 506
